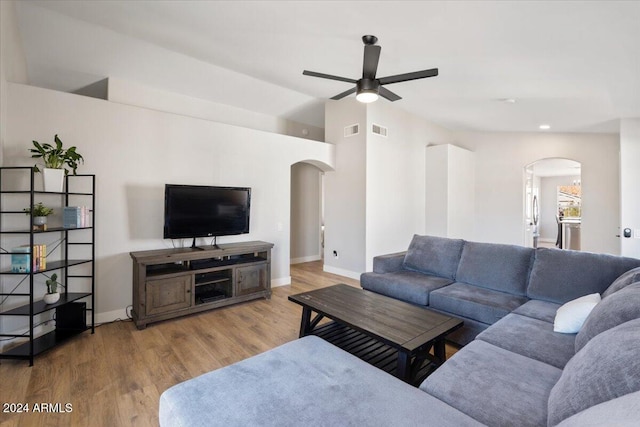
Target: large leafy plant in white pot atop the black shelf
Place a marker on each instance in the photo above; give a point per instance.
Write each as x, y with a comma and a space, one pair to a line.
57, 162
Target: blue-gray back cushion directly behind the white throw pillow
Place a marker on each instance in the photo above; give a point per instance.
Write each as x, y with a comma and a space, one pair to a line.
614, 310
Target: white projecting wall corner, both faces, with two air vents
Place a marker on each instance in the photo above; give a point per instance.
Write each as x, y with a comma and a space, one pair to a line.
375, 199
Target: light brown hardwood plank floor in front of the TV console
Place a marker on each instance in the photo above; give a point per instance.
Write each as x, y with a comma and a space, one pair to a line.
115, 377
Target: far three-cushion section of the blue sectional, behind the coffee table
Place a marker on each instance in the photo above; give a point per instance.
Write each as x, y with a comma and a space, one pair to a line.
483, 282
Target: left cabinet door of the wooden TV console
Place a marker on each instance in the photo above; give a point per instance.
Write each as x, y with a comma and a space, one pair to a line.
165, 295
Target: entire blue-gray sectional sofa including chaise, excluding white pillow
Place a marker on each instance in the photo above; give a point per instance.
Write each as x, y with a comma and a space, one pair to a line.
517, 370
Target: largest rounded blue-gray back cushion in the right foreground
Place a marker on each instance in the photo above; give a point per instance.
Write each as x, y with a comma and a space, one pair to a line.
606, 368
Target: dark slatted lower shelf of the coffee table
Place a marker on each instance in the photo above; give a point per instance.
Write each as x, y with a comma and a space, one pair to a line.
374, 352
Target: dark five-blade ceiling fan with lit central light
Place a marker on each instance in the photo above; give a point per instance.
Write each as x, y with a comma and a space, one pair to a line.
369, 87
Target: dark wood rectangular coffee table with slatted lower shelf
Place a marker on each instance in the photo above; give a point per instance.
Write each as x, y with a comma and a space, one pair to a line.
393, 335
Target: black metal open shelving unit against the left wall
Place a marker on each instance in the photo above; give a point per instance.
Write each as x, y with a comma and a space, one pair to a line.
71, 310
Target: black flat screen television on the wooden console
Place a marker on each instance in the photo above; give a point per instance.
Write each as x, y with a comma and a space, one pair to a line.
192, 211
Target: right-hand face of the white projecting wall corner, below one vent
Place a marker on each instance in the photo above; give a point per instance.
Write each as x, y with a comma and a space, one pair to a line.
396, 178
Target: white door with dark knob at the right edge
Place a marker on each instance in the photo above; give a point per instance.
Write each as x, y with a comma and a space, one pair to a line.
629, 182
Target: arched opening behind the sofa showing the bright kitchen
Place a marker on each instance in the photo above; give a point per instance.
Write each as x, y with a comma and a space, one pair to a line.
553, 203
